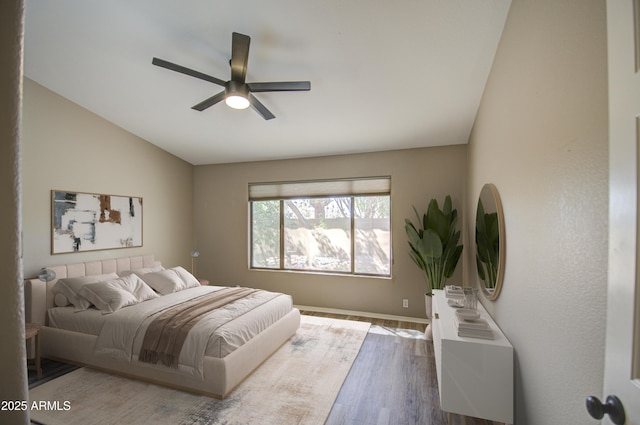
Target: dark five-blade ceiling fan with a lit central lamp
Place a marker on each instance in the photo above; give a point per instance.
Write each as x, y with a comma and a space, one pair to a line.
237, 93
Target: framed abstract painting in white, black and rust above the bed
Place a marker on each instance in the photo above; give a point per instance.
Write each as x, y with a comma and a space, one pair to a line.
91, 221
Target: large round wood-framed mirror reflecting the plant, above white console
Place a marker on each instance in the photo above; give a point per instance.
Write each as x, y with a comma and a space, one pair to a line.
490, 241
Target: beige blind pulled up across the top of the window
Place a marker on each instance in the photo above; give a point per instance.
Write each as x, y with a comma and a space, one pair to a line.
320, 188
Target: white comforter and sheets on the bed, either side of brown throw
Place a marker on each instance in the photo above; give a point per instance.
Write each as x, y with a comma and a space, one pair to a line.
120, 334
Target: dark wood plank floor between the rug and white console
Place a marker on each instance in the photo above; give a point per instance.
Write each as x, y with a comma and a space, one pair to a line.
393, 381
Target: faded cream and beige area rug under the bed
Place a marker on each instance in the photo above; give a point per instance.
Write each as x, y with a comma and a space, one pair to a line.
297, 385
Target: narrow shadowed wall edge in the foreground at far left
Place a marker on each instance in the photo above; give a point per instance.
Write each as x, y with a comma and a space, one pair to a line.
13, 384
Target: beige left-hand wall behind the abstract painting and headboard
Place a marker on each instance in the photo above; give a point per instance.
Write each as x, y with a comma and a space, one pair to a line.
66, 147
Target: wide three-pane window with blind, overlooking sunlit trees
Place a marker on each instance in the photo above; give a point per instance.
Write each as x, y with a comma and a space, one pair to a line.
336, 226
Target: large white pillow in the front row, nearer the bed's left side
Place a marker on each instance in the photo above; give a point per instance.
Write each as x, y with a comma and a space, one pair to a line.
112, 295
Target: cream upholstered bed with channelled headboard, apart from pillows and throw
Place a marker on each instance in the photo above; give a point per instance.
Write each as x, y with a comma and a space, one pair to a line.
239, 346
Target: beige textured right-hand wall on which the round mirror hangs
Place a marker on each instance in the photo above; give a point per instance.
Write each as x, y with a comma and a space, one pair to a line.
541, 136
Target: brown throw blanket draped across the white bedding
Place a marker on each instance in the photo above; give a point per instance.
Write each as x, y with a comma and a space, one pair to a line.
165, 336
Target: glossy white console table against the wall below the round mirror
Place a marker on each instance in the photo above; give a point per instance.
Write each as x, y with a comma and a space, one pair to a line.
475, 376
